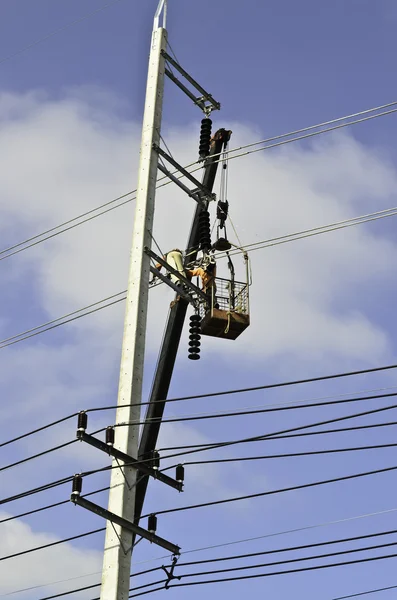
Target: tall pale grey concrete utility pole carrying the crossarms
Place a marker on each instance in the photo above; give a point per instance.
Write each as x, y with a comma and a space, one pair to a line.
117, 557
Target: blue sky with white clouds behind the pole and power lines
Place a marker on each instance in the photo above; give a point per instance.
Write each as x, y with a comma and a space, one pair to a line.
70, 111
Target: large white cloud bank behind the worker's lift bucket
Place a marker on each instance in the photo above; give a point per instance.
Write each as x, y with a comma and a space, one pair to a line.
73, 160
